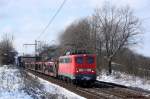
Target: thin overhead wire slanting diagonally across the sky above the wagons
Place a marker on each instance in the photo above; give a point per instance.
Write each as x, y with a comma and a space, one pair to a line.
51, 20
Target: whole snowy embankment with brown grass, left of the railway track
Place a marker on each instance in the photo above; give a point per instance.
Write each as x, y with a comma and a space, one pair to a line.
16, 84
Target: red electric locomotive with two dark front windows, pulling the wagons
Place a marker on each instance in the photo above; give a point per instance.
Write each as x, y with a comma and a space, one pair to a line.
78, 66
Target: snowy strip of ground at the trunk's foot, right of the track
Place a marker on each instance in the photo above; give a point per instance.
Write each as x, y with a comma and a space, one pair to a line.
125, 79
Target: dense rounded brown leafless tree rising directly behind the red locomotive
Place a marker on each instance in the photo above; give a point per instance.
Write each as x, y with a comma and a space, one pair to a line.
77, 36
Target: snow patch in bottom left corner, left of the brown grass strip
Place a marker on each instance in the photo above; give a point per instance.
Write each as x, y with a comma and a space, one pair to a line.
11, 84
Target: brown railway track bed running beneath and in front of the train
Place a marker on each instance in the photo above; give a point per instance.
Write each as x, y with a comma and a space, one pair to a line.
100, 90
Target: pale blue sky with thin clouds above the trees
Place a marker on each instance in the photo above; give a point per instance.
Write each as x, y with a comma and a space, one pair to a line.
26, 19
